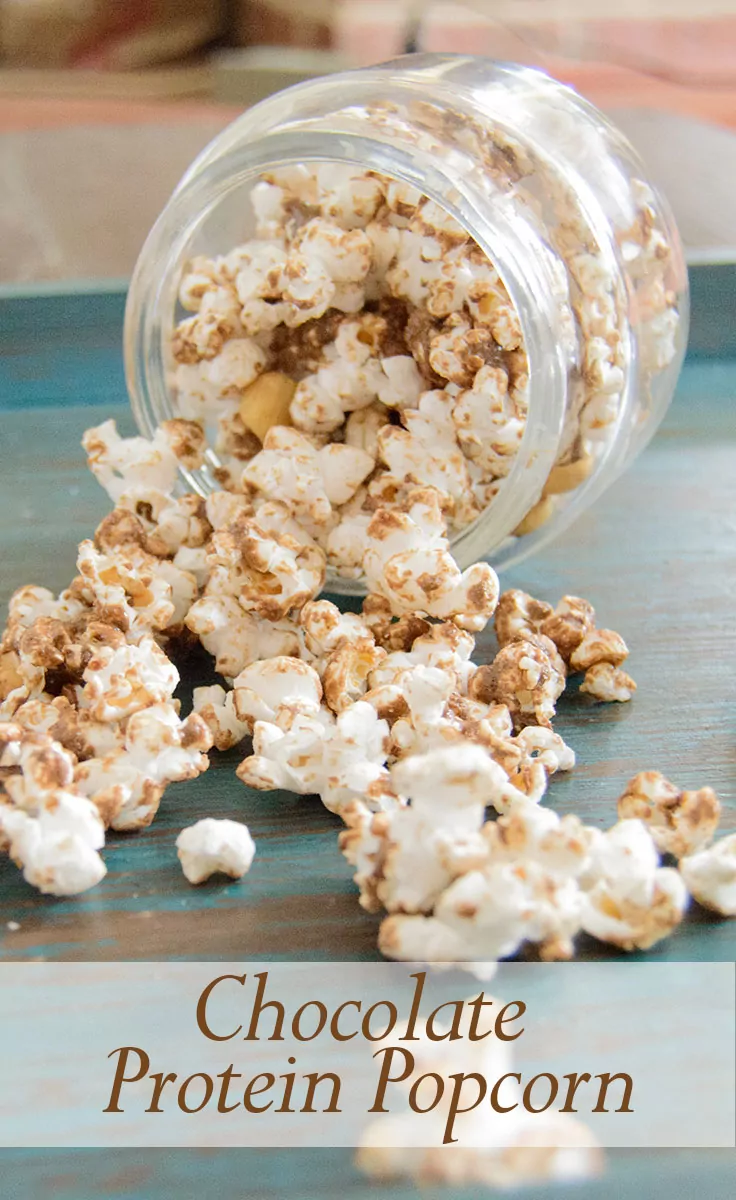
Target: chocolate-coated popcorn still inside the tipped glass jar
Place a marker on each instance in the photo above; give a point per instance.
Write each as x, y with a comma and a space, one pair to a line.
362, 345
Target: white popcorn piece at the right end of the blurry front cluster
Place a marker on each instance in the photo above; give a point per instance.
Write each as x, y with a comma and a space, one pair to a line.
629, 899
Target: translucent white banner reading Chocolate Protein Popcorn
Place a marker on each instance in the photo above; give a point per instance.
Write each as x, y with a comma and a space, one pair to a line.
278, 1054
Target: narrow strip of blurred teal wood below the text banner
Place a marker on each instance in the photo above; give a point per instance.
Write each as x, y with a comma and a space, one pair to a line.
330, 1175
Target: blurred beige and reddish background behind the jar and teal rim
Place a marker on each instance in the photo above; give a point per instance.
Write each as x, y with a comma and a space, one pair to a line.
105, 103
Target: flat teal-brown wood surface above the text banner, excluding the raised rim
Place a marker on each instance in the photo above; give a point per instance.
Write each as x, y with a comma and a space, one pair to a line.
656, 557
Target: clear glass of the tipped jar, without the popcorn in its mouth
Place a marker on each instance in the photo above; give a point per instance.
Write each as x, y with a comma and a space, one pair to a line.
548, 189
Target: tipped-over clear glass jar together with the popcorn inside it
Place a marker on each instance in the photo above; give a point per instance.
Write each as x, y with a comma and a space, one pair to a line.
442, 273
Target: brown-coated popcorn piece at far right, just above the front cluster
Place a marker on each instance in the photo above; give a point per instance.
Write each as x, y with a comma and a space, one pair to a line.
681, 824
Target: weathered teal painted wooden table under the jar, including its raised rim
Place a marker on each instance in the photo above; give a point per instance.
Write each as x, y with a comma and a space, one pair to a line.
657, 556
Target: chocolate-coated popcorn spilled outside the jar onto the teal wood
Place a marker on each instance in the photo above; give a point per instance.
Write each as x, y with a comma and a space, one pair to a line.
384, 715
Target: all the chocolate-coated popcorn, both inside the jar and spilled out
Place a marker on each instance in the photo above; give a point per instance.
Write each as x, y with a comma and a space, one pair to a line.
356, 379
